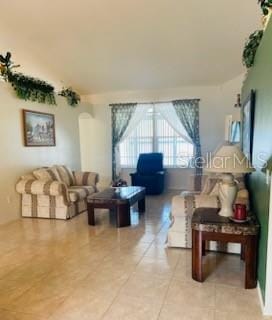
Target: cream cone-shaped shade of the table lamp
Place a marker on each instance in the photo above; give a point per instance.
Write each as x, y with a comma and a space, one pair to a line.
229, 158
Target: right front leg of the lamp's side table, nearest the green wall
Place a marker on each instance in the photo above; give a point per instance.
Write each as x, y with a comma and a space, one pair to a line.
251, 262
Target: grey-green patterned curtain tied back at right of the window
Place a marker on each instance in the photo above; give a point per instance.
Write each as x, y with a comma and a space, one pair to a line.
188, 114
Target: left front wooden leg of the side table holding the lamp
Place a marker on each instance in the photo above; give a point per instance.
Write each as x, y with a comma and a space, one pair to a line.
197, 273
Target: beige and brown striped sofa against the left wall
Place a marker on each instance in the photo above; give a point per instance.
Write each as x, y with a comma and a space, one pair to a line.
55, 192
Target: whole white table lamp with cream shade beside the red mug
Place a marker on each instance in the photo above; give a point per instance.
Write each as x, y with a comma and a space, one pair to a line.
226, 161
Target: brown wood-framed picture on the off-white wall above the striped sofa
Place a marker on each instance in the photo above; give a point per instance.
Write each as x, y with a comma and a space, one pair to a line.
39, 129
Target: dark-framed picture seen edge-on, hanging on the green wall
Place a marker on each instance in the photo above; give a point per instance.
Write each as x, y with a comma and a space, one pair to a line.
247, 124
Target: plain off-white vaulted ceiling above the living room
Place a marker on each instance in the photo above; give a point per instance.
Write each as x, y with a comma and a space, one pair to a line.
108, 45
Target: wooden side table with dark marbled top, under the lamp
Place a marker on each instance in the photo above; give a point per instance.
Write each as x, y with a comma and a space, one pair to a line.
207, 225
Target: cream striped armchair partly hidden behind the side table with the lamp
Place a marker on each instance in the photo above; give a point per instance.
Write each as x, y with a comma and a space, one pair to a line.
183, 206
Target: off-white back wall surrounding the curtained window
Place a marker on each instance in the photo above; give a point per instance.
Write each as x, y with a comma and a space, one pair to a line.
216, 102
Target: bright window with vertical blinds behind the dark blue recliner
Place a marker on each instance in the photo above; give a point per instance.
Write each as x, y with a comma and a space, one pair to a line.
154, 134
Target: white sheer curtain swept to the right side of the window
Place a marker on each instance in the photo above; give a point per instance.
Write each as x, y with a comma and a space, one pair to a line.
167, 111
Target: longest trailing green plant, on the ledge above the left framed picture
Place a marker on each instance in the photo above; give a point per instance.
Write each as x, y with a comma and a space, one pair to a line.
27, 88
